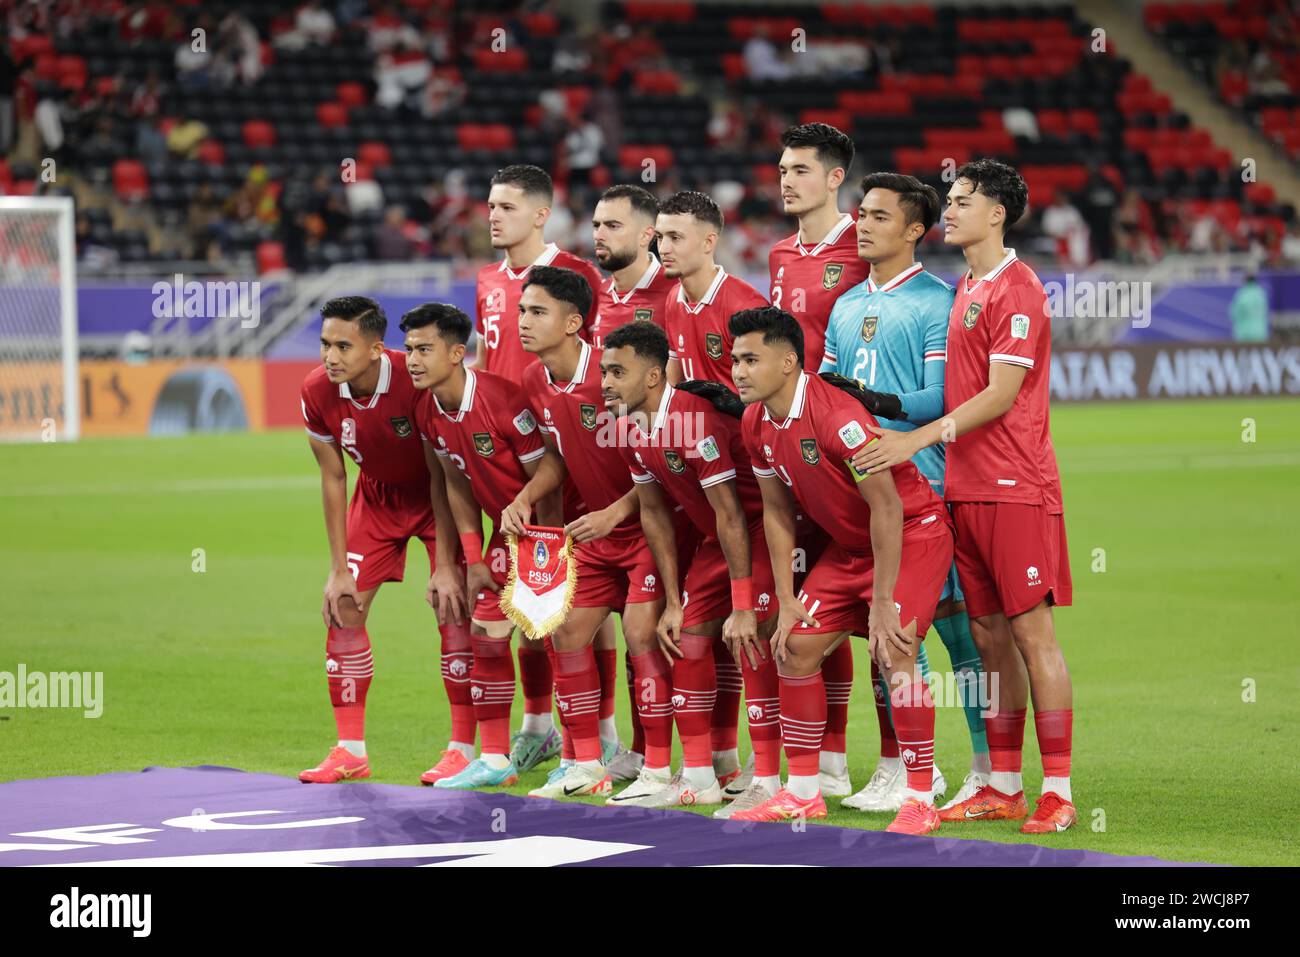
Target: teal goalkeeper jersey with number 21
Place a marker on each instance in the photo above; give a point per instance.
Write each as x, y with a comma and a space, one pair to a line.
892, 339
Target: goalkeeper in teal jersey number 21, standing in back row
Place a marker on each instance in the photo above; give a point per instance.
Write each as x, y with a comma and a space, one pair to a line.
891, 334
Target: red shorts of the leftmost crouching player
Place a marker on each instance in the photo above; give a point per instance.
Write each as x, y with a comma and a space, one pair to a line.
382, 519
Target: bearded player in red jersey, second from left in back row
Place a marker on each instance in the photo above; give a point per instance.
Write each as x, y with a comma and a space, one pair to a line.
623, 231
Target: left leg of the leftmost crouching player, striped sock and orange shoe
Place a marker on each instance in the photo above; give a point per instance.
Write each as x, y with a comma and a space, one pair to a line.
349, 669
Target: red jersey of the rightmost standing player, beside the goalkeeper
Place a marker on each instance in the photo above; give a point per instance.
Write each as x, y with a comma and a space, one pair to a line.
1002, 319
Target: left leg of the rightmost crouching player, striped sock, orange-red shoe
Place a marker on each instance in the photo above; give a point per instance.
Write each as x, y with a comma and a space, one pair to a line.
803, 728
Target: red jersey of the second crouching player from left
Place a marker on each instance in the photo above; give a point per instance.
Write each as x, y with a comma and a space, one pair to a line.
488, 439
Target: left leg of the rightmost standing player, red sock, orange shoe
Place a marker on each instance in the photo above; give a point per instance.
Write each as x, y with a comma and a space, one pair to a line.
1003, 799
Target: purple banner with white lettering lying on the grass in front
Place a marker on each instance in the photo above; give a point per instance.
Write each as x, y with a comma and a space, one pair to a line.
213, 817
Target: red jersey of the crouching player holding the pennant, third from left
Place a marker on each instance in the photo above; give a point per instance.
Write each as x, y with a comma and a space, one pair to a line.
586, 434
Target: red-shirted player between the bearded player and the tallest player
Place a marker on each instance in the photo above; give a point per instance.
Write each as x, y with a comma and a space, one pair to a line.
705, 296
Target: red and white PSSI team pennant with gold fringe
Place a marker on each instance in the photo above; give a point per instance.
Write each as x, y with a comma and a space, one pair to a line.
543, 581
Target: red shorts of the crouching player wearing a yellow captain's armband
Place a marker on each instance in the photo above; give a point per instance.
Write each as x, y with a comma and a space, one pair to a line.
838, 591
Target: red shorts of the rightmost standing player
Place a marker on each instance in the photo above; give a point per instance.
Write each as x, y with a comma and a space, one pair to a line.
1011, 557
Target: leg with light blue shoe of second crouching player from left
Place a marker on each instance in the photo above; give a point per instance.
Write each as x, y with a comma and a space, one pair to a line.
492, 686
